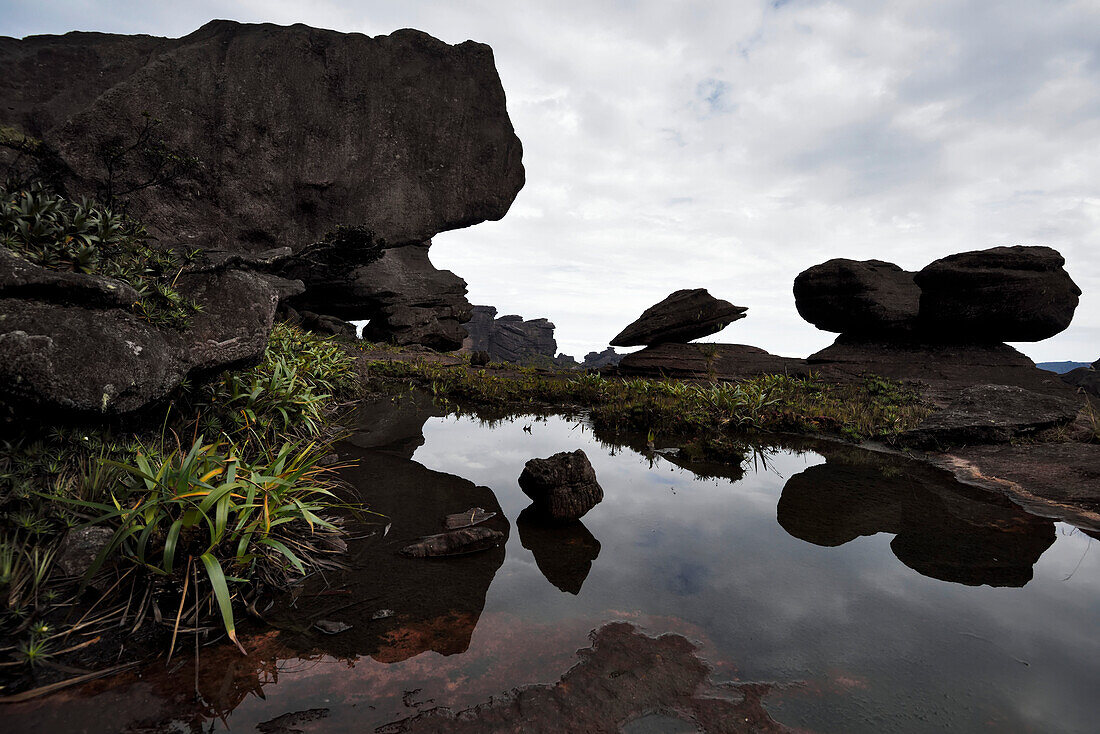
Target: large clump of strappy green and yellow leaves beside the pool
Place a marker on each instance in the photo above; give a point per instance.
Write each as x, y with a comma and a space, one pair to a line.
199, 529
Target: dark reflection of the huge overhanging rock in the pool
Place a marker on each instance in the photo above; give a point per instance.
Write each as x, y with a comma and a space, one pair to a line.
436, 601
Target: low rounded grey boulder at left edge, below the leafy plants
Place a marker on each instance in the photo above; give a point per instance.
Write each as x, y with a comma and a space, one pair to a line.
81, 349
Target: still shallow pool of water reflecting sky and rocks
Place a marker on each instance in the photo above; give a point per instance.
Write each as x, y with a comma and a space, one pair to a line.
835, 591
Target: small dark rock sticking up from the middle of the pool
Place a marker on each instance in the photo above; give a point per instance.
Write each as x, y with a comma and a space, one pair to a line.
564, 487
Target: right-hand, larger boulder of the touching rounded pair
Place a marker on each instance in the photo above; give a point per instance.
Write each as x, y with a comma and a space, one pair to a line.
1003, 294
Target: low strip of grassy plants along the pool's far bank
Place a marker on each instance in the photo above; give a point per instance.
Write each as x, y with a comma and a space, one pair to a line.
875, 410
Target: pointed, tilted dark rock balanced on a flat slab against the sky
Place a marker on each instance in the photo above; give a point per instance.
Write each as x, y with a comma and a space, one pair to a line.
684, 316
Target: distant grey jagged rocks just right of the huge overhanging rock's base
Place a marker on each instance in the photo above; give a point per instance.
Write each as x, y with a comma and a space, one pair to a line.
511, 338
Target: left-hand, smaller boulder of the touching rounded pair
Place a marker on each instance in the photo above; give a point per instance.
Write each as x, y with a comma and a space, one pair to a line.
852, 297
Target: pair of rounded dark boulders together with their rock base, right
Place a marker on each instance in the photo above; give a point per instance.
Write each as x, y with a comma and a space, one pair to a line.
945, 324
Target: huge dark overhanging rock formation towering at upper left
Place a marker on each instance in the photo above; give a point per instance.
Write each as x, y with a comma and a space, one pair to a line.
244, 138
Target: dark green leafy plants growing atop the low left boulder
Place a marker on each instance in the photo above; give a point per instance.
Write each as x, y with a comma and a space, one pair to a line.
87, 237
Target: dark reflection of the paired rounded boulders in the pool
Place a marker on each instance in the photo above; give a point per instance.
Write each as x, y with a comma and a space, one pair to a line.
944, 530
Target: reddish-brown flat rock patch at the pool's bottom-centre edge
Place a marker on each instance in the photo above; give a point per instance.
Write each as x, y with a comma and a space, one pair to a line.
624, 677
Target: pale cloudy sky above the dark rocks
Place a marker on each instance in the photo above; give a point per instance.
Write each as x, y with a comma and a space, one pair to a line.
732, 145
